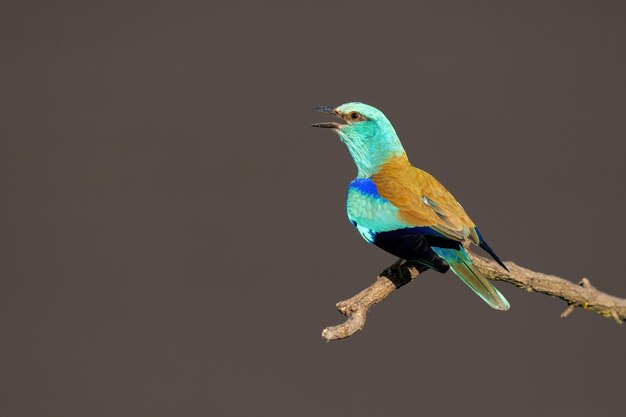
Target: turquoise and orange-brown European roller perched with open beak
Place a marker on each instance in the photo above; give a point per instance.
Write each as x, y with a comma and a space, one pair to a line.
402, 209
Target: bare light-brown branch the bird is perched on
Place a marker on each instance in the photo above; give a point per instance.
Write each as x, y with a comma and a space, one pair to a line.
401, 272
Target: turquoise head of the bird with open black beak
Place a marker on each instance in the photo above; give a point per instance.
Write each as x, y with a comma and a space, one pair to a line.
369, 136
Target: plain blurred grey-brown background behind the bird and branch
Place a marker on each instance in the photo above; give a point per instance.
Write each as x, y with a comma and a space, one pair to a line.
173, 235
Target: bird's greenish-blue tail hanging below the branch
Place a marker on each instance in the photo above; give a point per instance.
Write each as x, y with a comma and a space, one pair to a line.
462, 266
